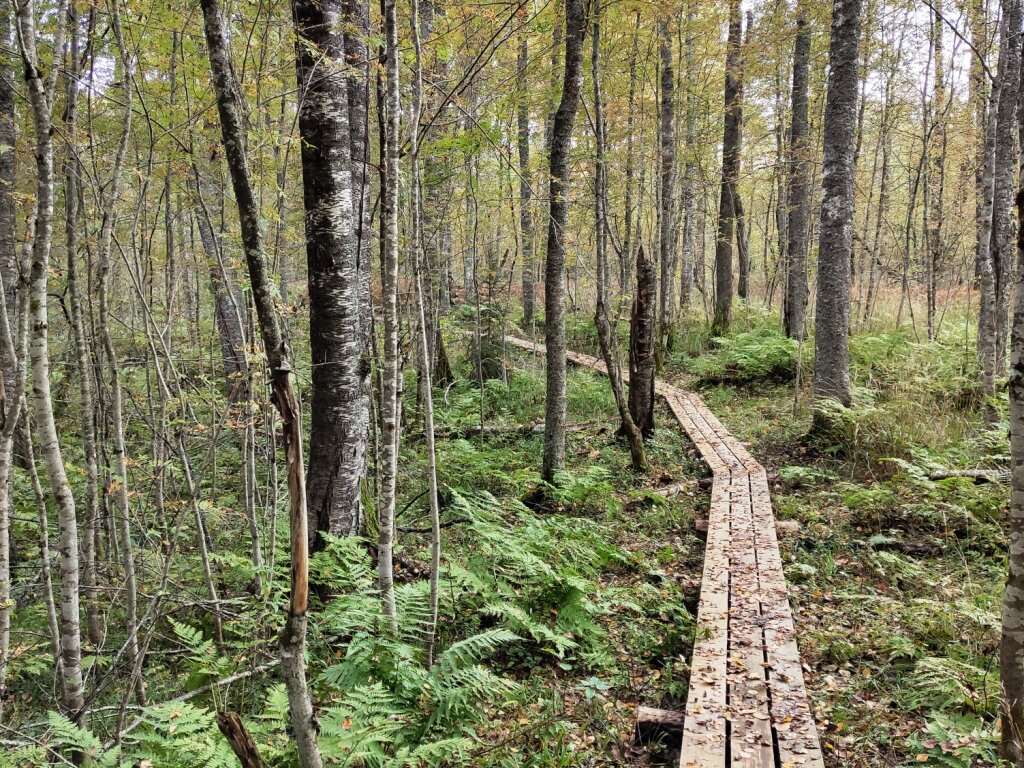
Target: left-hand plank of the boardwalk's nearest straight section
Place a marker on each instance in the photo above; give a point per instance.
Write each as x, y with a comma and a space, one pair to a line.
705, 726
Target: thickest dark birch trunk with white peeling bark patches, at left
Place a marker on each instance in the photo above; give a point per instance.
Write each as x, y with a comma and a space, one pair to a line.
338, 339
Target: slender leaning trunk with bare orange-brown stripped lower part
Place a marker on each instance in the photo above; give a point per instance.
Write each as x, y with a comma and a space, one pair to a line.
293, 635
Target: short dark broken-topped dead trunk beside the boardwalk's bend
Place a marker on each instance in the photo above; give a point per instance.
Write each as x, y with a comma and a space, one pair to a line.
643, 348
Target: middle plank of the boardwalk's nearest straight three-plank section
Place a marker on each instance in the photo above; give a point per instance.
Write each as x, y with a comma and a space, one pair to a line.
751, 734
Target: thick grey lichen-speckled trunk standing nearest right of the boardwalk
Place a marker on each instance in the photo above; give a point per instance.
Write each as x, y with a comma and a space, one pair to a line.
832, 365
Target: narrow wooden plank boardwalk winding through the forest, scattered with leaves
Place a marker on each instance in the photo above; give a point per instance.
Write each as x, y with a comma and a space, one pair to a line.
747, 706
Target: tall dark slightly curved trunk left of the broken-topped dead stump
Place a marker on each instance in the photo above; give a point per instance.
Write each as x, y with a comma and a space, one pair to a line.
554, 296
